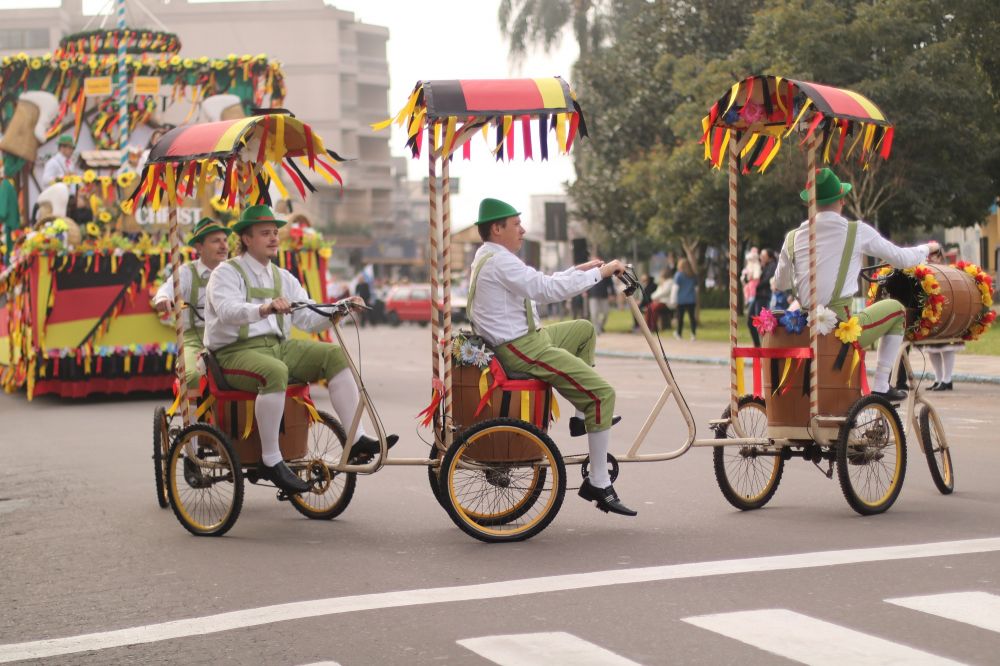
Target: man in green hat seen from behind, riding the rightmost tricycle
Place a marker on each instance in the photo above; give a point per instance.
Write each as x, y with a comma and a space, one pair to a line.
840, 245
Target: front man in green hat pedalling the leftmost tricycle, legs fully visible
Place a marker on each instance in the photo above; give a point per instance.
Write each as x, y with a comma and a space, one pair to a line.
248, 321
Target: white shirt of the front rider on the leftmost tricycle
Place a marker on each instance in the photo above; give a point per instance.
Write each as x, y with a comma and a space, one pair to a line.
227, 308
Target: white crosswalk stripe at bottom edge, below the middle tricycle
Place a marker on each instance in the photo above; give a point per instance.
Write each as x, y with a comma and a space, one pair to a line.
543, 649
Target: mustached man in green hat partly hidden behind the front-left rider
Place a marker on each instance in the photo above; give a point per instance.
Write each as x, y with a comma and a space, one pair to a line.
210, 239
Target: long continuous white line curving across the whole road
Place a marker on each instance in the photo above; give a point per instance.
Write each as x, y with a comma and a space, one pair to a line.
252, 617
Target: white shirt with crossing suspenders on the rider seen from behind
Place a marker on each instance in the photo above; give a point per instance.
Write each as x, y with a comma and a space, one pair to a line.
831, 237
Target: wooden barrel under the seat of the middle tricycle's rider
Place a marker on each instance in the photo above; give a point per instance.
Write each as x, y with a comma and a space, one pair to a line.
501, 446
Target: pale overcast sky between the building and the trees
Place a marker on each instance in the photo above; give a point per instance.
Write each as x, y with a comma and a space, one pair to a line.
446, 39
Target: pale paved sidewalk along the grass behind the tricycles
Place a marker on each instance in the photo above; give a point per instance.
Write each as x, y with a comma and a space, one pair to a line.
968, 367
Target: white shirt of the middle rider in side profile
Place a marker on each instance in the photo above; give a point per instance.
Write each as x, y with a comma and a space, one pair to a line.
503, 284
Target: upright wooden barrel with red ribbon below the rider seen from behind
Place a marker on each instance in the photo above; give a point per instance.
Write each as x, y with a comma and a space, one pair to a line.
838, 389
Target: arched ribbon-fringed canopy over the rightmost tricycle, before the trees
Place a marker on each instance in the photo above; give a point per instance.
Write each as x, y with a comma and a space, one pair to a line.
770, 108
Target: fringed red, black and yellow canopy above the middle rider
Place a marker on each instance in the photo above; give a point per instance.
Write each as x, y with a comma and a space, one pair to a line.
449, 109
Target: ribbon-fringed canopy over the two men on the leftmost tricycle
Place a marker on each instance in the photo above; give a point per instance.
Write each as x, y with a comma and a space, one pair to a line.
243, 154
